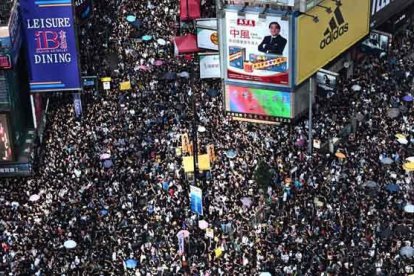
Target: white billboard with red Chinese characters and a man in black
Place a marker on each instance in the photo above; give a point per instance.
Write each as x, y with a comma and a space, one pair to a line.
257, 49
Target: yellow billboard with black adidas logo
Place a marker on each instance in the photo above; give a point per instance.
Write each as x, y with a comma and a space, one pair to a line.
322, 36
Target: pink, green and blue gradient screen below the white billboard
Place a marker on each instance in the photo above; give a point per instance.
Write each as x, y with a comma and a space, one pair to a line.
263, 102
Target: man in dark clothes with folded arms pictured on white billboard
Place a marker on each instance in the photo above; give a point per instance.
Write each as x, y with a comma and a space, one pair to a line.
273, 43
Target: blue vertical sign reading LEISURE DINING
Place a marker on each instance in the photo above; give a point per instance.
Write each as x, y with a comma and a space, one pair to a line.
51, 45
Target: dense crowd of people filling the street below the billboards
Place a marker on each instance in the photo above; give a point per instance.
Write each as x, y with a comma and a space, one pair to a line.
113, 182
